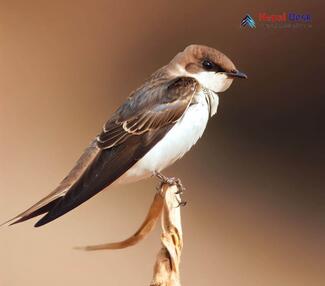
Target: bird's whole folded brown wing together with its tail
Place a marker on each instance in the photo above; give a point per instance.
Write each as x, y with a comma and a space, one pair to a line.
142, 121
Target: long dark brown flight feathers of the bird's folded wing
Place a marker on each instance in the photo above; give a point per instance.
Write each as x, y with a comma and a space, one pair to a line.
105, 168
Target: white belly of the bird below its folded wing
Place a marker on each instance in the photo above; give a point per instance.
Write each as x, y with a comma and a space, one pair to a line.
174, 145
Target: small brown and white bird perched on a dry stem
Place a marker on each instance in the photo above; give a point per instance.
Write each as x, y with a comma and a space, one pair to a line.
157, 124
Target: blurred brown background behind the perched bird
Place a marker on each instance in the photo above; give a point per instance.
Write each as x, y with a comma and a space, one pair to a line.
255, 181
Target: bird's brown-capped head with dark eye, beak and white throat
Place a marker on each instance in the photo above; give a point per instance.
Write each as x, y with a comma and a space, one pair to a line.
211, 68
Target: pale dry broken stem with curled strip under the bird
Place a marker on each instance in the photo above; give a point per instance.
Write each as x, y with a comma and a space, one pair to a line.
166, 202
